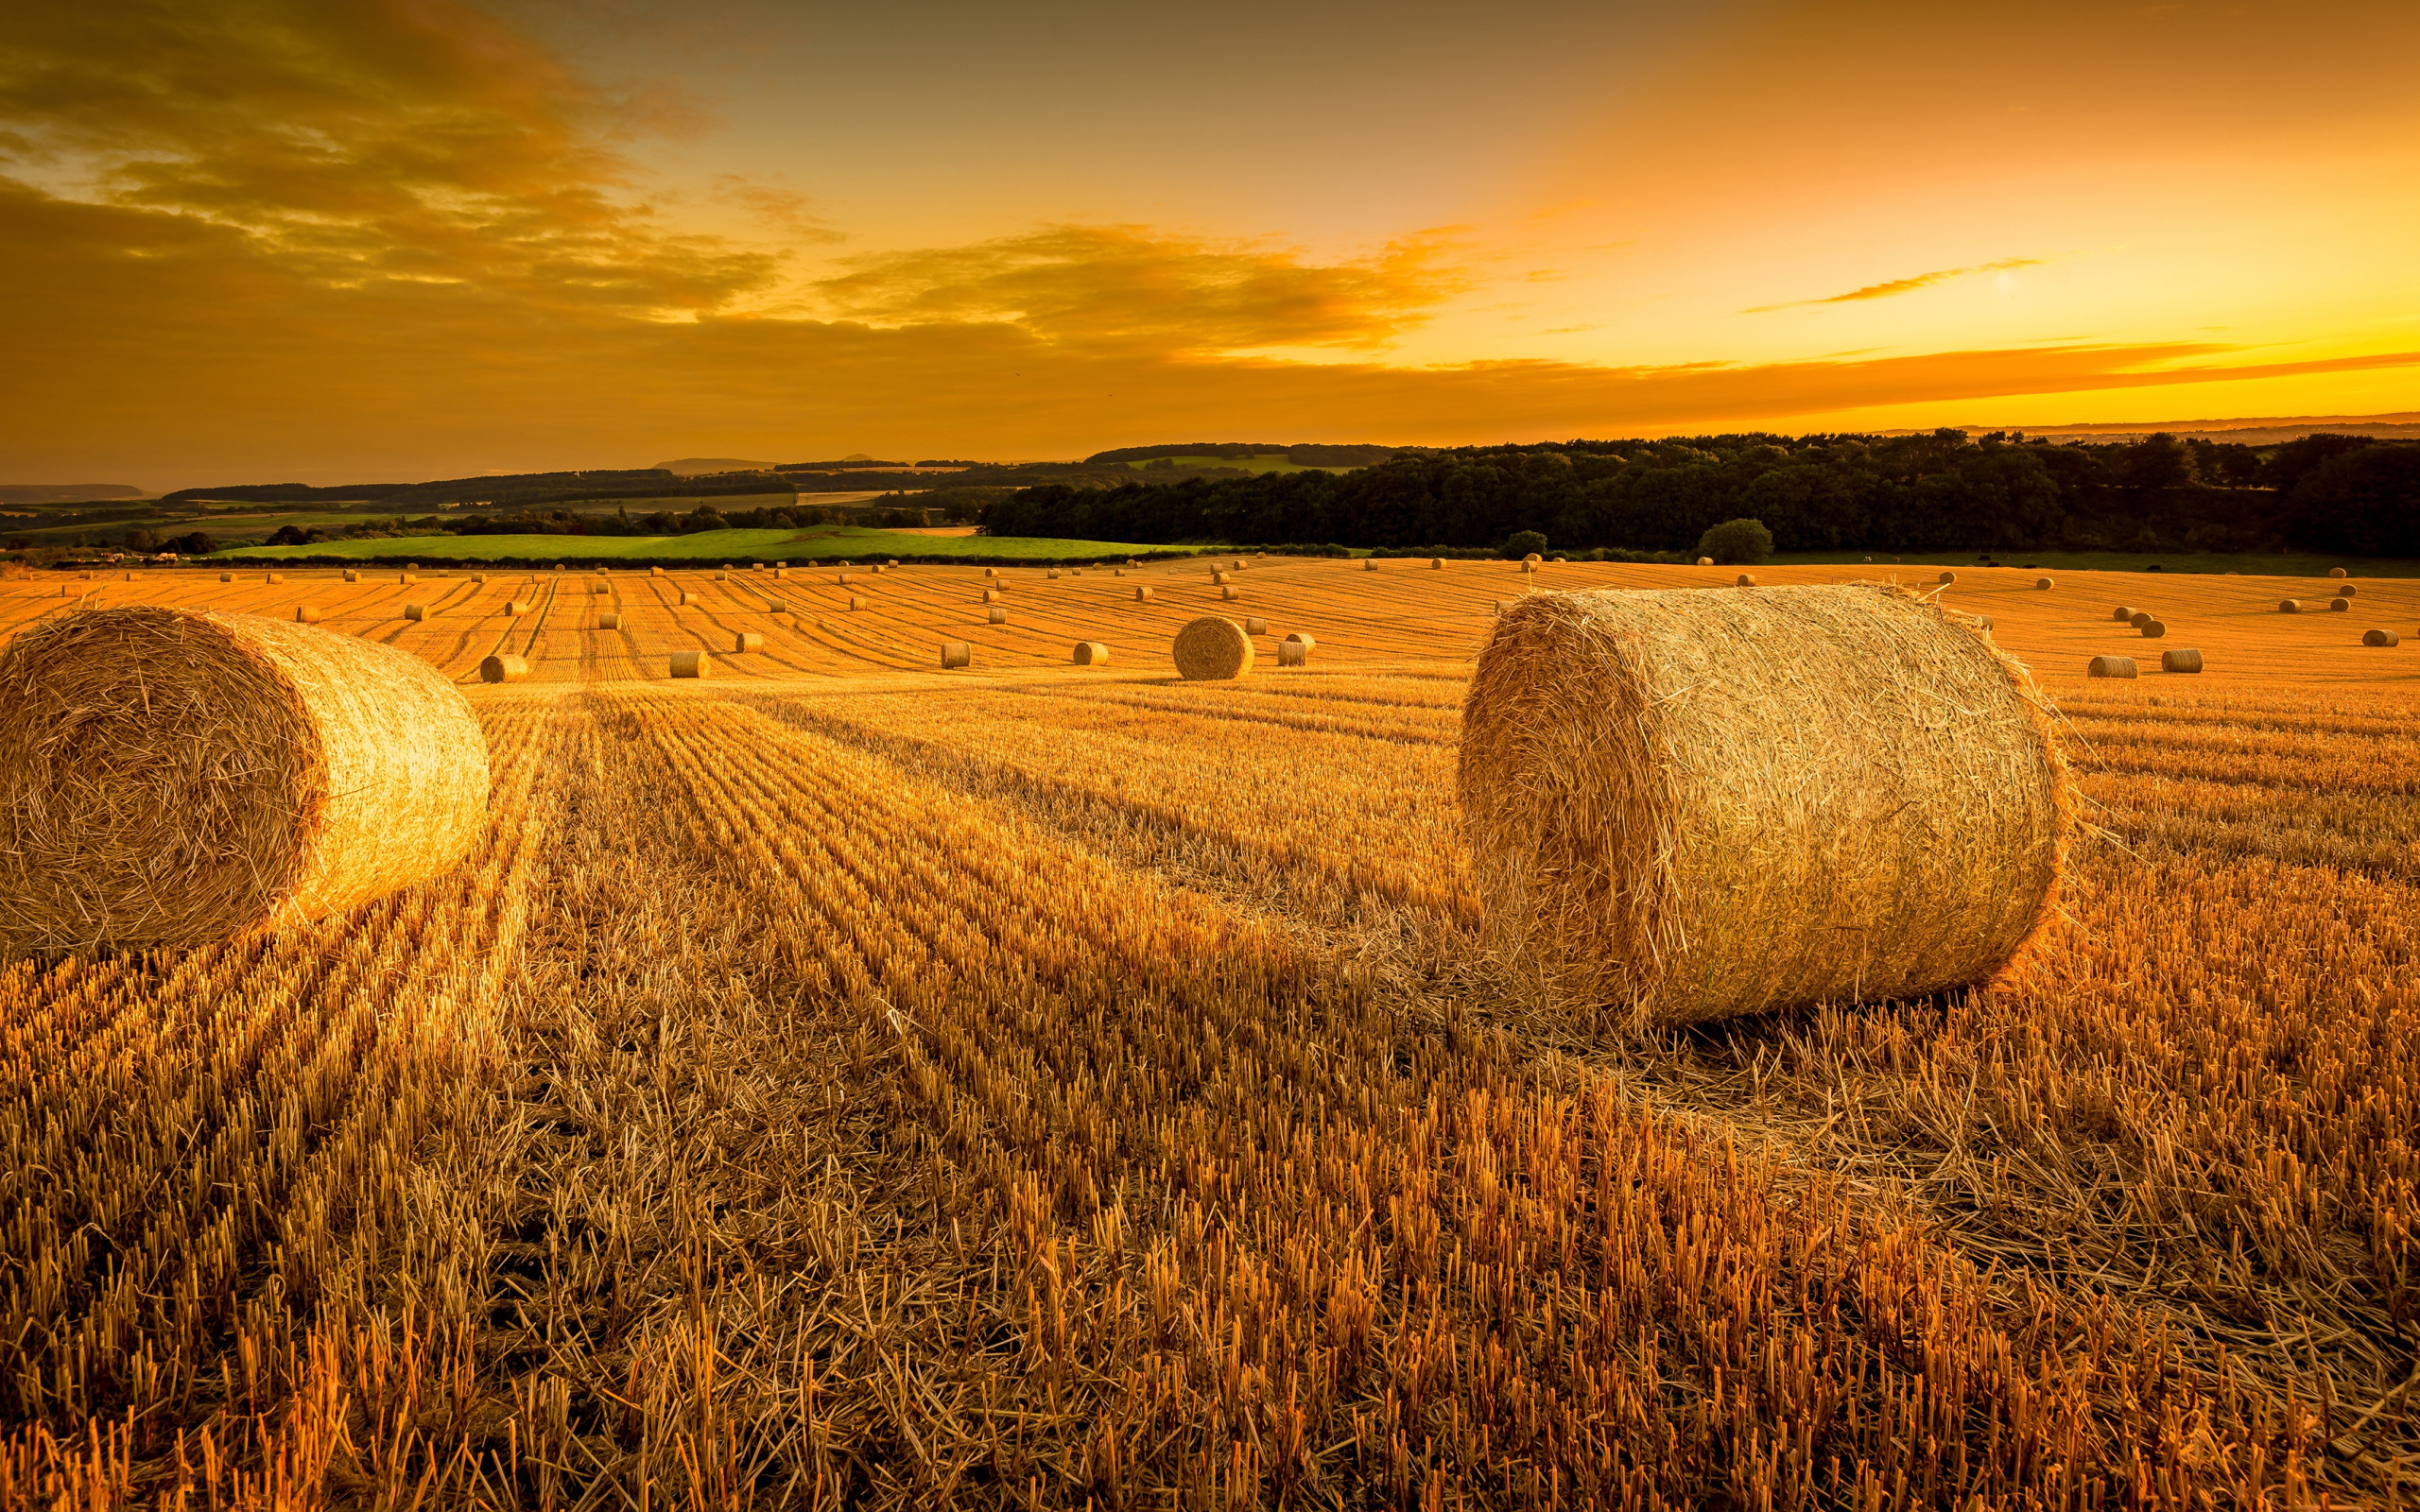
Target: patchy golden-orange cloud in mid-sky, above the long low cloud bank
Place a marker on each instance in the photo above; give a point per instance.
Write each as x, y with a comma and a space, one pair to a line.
1127, 287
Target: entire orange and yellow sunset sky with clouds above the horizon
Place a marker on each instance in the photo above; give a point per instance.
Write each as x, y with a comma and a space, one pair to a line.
371, 241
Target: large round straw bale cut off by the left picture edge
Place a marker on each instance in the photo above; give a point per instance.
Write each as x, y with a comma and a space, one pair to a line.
173, 778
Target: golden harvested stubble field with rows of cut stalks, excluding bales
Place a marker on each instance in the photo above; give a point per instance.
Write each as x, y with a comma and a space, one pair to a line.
848, 1083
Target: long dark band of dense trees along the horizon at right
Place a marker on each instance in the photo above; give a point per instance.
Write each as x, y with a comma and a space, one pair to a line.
1930, 492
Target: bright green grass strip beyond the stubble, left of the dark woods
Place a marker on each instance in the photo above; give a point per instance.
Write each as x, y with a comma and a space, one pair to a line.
708, 546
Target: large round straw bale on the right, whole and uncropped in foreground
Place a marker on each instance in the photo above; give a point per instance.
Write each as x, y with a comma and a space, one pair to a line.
1702, 804
